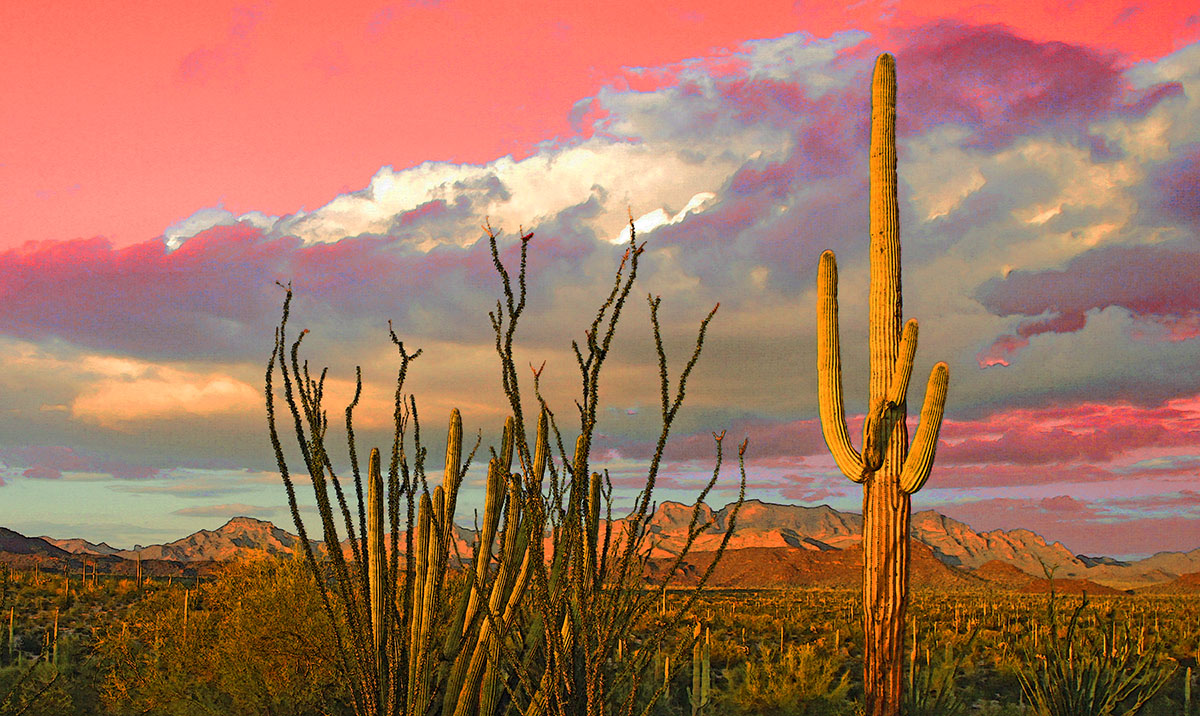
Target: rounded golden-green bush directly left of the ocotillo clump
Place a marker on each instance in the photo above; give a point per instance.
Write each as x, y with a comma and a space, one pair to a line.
254, 641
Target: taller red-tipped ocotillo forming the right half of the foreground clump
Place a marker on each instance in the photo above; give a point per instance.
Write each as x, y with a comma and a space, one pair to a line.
590, 592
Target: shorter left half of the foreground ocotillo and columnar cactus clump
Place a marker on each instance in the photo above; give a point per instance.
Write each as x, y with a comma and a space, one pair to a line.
411, 641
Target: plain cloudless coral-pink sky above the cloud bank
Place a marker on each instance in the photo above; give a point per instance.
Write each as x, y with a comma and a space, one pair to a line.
122, 122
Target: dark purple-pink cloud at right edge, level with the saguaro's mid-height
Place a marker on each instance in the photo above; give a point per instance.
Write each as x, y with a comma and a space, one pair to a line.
1156, 284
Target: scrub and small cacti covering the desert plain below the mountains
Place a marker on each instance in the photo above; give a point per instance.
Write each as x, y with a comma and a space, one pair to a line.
254, 640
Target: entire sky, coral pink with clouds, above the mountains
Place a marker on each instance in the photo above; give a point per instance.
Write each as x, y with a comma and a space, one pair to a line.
165, 165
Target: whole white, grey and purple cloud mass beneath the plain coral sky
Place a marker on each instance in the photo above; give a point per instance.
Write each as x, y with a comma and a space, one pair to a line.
1046, 197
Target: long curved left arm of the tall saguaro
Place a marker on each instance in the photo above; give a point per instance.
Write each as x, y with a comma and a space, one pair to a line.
833, 414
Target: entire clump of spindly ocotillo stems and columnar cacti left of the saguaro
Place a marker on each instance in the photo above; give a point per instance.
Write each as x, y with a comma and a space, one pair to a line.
419, 640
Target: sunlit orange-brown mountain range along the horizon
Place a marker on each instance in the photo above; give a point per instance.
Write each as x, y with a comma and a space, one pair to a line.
771, 546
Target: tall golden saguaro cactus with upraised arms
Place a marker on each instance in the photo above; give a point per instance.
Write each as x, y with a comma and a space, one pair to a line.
887, 468
